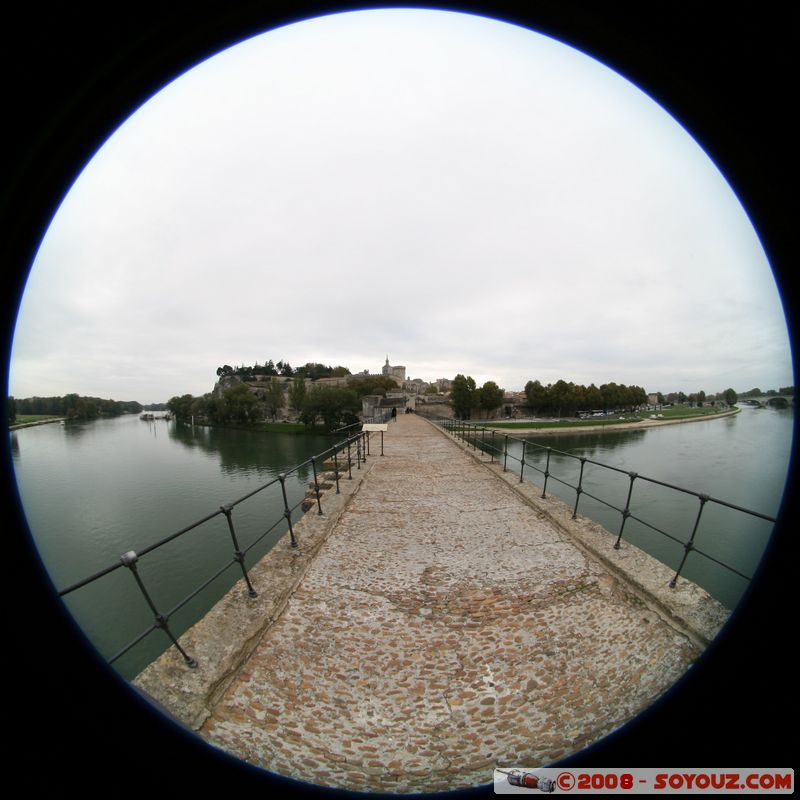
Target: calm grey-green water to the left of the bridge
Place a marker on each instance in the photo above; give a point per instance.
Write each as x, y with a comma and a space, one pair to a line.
92, 491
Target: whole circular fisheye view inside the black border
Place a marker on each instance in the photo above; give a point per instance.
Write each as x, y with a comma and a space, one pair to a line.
401, 397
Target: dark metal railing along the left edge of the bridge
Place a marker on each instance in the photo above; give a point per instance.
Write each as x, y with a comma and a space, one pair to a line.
352, 450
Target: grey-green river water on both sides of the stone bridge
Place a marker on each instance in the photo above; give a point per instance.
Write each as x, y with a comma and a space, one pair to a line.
92, 491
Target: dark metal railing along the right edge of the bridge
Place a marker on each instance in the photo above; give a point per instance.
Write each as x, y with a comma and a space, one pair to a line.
496, 444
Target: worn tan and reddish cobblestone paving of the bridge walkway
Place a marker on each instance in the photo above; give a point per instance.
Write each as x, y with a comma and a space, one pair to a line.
444, 628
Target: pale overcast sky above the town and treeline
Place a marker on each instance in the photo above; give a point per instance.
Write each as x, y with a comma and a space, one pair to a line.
462, 194
